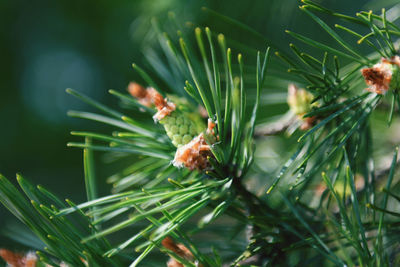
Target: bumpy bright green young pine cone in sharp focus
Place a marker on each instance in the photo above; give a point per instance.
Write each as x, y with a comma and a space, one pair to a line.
180, 128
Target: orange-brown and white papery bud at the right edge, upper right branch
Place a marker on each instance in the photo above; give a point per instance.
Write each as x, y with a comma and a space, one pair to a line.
383, 76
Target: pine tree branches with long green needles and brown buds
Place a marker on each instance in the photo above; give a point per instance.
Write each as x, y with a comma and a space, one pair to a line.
190, 141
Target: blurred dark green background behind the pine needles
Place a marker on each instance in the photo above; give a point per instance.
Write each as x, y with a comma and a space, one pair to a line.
47, 46
